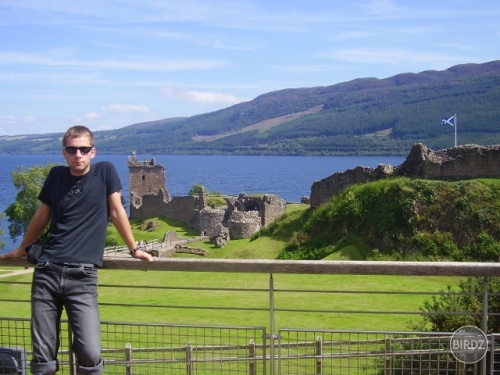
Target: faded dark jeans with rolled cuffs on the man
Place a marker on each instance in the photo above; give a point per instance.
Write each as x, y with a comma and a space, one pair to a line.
75, 289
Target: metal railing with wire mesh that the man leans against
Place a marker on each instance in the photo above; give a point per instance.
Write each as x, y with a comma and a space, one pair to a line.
268, 348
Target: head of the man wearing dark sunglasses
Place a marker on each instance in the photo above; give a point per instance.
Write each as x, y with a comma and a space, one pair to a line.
78, 149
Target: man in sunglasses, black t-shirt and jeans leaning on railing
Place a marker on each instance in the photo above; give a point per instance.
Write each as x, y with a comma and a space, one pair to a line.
77, 200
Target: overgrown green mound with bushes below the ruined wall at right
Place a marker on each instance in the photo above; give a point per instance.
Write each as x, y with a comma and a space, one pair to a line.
402, 219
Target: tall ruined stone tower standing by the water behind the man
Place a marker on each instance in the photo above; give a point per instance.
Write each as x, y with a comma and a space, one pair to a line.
146, 178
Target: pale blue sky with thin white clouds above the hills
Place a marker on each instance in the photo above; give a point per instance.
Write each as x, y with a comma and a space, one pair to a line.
111, 63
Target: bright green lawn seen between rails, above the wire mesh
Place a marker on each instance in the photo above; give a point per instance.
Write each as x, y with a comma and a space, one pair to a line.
220, 307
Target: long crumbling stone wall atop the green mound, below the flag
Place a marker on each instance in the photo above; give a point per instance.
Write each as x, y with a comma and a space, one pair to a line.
457, 163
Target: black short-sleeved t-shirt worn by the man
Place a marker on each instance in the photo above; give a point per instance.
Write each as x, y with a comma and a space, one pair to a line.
79, 213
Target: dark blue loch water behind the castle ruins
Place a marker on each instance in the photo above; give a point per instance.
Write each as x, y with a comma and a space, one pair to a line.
290, 177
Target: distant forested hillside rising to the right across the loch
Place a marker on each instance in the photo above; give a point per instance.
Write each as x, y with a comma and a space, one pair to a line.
366, 116
